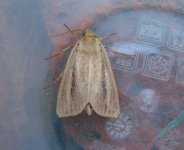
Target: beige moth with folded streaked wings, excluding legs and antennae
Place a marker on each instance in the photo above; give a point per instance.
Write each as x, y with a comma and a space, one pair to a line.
87, 82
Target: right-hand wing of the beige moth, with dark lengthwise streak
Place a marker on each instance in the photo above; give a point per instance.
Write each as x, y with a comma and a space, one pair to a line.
106, 101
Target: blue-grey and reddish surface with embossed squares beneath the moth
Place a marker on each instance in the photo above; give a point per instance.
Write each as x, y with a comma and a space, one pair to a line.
152, 79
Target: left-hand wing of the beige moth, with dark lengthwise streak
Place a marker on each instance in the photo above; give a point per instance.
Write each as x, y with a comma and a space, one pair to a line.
71, 100
